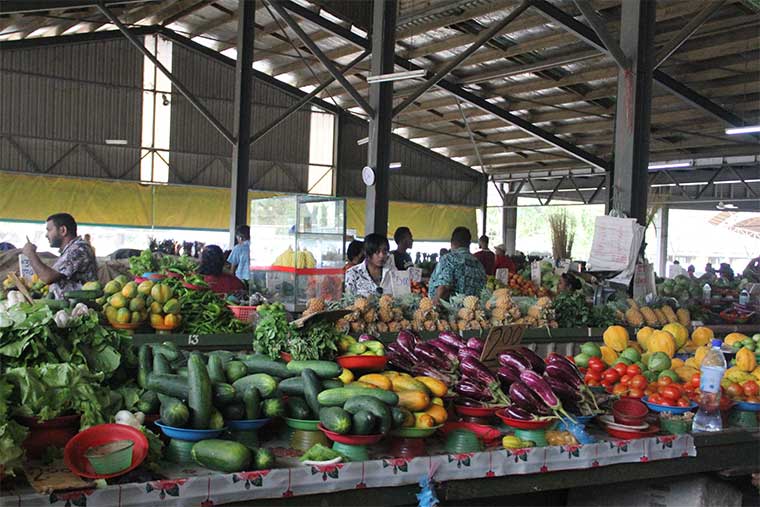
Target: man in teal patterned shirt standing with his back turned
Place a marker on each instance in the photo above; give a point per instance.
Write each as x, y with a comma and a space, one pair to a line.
458, 272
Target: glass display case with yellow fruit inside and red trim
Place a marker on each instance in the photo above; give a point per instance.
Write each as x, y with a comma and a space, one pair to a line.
297, 248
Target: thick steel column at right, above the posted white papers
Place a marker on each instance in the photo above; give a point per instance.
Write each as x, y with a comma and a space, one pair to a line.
633, 110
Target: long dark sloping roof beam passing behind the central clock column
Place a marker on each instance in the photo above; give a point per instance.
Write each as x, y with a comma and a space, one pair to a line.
456, 90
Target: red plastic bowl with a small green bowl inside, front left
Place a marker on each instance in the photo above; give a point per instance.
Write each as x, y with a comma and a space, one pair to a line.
74, 452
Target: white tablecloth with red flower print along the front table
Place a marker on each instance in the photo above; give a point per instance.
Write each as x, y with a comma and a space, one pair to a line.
200, 487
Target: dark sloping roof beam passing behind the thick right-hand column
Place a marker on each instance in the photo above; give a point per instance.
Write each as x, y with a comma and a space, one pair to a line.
586, 34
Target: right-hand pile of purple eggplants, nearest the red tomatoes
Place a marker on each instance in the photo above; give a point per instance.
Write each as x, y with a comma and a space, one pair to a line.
539, 388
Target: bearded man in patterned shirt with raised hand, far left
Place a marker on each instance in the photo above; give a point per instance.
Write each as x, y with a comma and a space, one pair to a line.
75, 266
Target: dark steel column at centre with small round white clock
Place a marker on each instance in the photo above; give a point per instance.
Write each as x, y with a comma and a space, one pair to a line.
381, 103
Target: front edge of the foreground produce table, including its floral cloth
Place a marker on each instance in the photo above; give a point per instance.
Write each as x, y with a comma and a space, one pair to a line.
394, 480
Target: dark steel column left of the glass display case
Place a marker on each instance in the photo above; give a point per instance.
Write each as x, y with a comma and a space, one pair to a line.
241, 148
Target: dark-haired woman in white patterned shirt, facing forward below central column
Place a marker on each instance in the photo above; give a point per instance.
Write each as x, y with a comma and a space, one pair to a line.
372, 277
